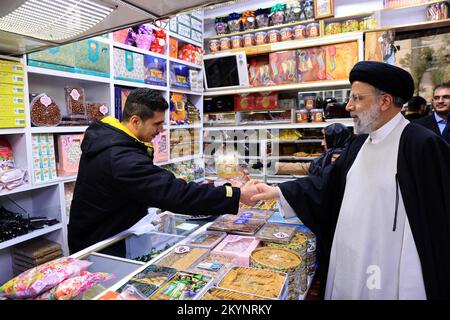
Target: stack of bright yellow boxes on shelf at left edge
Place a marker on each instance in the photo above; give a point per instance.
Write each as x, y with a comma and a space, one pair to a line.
12, 102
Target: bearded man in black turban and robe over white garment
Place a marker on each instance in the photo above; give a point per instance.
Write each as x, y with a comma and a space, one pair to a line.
417, 185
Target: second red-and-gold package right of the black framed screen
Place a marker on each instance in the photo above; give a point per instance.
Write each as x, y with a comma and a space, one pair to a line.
283, 67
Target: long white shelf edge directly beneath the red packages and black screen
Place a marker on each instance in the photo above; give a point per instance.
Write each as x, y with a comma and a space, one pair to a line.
283, 87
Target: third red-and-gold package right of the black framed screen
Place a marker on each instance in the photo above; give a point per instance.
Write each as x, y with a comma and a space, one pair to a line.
311, 64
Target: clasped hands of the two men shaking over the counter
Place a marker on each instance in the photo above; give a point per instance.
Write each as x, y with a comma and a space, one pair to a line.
254, 190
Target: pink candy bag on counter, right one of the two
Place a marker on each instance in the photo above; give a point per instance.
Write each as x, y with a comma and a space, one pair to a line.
73, 287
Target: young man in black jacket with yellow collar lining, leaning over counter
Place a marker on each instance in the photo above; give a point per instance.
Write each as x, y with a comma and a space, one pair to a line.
117, 181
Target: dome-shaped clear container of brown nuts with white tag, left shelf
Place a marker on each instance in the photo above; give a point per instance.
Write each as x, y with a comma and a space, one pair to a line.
44, 111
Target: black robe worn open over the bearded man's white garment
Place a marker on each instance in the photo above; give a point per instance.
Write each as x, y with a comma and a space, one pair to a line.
423, 171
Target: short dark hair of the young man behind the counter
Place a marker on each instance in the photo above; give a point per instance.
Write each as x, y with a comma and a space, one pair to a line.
143, 102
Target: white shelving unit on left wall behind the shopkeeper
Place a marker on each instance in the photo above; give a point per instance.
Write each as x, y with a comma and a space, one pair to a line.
50, 194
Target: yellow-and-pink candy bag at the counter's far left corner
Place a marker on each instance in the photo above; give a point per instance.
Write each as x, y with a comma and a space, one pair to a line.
33, 282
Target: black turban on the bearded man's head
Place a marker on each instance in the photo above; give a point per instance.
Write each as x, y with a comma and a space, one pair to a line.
385, 77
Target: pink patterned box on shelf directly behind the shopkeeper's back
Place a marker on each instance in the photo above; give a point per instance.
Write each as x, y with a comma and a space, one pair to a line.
69, 153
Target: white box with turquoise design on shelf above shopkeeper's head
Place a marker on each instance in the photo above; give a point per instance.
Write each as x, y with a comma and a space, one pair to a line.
128, 65
